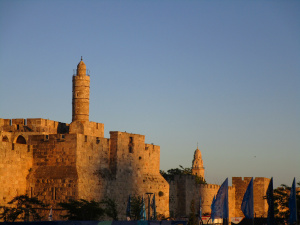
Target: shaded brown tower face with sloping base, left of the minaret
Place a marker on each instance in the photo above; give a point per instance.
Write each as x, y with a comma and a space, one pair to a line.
53, 177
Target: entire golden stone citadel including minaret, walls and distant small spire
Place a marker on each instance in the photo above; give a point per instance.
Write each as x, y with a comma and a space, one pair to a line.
56, 161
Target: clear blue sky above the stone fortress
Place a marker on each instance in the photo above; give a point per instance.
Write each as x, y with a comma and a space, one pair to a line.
223, 74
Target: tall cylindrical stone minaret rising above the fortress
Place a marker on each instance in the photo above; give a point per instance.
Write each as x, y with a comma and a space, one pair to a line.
81, 94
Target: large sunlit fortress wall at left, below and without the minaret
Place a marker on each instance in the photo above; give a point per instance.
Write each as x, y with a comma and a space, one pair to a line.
56, 167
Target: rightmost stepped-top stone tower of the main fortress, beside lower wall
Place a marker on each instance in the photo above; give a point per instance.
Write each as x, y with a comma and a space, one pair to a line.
135, 168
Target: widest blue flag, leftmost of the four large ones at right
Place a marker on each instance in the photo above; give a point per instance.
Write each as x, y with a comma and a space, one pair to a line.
219, 206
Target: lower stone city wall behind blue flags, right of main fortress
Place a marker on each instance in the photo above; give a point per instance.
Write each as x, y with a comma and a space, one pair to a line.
184, 189
